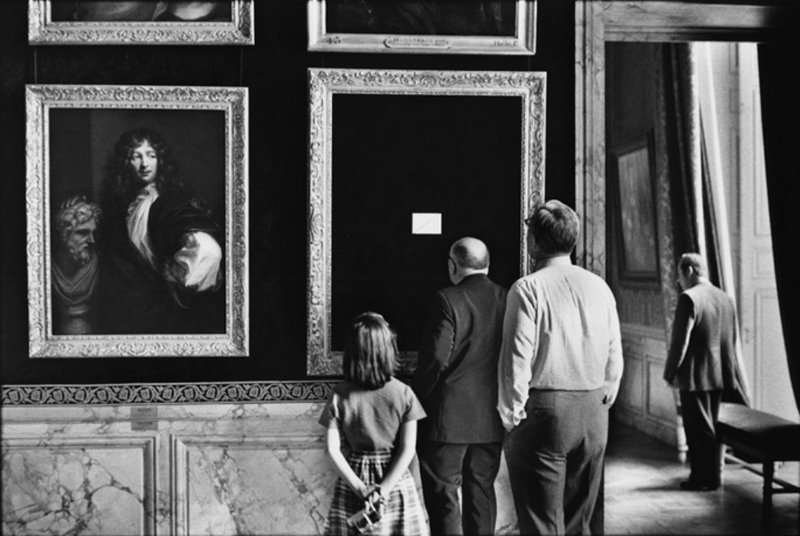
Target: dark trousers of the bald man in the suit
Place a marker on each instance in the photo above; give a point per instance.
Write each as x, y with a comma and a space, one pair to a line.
446, 467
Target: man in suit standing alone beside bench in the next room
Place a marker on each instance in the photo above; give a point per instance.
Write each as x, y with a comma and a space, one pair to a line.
702, 362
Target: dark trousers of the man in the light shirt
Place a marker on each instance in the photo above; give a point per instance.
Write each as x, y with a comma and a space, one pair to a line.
555, 461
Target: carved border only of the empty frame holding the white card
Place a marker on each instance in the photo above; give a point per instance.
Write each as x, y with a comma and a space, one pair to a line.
529, 87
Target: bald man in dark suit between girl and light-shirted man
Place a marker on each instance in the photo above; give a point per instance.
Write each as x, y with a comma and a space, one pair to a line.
460, 442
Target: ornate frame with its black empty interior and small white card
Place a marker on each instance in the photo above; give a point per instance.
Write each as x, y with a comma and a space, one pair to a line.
461, 152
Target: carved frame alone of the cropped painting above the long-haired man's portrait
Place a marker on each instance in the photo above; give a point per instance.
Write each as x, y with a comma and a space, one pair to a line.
43, 30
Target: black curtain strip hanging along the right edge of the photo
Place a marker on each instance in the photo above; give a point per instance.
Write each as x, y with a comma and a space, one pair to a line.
780, 115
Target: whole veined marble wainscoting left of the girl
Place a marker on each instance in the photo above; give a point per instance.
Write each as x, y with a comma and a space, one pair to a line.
179, 469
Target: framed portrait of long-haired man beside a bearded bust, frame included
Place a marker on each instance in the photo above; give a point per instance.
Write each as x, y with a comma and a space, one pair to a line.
137, 221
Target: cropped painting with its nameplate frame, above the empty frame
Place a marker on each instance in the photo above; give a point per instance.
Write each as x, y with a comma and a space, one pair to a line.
470, 27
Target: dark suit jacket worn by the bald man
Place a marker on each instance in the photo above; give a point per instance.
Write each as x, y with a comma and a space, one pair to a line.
456, 377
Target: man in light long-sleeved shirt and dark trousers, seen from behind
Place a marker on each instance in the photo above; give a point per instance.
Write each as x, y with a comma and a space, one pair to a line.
559, 372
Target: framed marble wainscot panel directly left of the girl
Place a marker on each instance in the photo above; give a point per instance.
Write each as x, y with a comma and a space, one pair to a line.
263, 485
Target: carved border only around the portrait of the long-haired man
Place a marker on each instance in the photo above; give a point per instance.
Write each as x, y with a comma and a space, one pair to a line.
233, 102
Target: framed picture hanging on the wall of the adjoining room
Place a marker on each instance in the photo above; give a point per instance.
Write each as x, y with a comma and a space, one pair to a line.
633, 172
